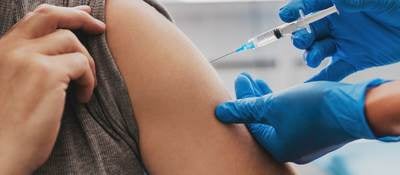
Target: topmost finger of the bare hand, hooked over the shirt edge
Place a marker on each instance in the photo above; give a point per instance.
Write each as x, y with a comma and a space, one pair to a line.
47, 18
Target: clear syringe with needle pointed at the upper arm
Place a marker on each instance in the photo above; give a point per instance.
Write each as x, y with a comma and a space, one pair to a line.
279, 32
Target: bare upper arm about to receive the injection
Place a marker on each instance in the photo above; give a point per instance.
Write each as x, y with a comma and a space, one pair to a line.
174, 92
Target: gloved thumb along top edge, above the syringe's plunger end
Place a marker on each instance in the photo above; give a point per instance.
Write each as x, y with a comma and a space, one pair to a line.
367, 5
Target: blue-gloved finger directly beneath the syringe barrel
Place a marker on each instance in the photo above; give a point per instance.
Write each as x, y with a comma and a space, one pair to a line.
319, 30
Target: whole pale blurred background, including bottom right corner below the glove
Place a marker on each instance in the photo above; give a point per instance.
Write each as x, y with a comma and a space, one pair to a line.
218, 26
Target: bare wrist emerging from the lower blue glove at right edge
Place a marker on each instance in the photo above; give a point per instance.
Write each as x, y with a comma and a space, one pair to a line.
382, 106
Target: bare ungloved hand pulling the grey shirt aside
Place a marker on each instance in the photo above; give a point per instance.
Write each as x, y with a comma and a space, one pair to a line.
39, 58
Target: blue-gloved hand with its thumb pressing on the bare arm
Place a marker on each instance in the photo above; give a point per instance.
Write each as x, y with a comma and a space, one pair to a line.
302, 123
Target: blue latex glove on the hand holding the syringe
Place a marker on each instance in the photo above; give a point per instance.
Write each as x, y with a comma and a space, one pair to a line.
364, 35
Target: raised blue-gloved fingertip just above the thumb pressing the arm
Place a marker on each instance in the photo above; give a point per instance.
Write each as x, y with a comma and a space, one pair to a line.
244, 86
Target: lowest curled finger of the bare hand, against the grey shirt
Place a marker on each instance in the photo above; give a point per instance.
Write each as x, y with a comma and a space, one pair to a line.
76, 68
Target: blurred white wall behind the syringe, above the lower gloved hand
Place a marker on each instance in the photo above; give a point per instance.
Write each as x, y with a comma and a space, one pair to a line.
217, 28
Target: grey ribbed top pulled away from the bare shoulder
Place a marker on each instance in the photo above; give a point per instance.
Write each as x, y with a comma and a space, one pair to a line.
100, 137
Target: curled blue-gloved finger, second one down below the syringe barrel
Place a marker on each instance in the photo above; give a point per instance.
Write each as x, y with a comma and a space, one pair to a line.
319, 51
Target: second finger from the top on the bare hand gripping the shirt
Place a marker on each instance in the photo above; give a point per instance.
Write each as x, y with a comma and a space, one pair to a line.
61, 42
